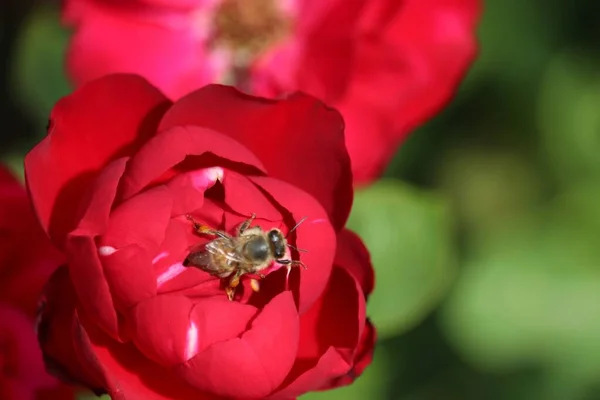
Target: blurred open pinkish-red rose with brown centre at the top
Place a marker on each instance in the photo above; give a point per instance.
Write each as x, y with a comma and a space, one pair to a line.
387, 65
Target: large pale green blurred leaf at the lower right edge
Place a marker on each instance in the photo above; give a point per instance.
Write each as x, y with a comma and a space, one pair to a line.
531, 295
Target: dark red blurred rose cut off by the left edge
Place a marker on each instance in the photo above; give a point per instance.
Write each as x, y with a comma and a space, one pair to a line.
27, 259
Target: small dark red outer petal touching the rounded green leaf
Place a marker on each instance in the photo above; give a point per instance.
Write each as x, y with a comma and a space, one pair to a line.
352, 255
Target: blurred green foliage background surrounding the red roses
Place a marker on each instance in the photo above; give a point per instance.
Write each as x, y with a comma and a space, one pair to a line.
485, 231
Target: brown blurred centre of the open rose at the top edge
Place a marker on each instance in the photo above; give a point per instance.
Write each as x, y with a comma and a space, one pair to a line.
249, 27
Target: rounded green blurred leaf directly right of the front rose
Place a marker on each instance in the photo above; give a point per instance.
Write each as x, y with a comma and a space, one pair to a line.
408, 233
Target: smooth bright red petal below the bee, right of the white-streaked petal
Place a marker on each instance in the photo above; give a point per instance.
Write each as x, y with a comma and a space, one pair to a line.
253, 365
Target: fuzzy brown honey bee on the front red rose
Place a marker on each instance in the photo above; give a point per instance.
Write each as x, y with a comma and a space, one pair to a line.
250, 251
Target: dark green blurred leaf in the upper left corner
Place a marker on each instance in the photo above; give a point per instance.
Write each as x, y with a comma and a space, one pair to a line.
38, 71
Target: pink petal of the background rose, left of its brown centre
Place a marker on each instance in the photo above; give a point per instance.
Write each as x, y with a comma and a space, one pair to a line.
163, 48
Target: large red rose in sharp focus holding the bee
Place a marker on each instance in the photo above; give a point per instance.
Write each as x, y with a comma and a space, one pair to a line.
113, 182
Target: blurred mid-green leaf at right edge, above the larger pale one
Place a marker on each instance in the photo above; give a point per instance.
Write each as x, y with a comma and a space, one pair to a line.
569, 116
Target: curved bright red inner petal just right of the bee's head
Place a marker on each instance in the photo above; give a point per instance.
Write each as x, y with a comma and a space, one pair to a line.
315, 235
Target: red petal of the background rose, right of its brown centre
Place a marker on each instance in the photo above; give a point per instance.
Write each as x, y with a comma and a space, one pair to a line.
422, 52
